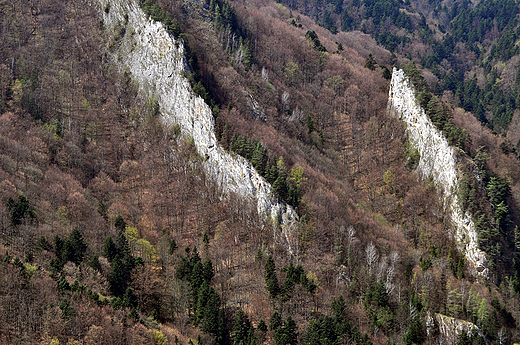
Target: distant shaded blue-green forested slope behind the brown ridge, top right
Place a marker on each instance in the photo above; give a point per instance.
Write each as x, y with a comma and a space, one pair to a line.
469, 46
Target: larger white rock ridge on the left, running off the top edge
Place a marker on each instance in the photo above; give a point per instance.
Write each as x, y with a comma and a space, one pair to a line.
157, 62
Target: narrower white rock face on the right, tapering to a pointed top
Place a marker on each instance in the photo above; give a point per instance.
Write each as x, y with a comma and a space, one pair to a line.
438, 160
